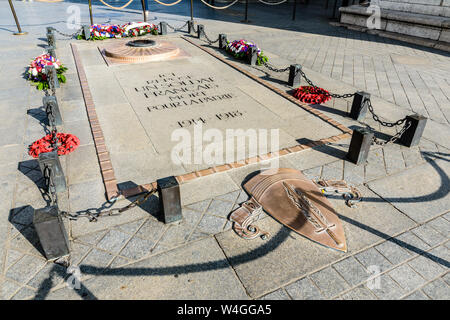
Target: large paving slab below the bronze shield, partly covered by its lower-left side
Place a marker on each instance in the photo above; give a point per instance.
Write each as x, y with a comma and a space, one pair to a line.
264, 265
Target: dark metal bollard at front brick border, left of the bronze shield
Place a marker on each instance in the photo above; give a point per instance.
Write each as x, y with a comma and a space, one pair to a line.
169, 199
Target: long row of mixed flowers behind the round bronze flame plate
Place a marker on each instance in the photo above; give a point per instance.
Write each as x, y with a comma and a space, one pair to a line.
130, 29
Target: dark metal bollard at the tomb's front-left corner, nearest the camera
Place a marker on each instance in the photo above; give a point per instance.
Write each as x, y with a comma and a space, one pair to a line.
51, 232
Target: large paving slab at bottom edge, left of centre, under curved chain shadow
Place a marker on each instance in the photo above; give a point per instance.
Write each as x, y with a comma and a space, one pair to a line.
176, 274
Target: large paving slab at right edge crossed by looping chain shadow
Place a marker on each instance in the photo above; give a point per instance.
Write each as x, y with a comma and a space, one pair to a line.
421, 204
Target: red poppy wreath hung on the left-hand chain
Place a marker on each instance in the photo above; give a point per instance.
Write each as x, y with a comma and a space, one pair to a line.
68, 143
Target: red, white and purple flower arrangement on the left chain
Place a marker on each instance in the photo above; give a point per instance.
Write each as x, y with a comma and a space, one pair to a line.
36, 71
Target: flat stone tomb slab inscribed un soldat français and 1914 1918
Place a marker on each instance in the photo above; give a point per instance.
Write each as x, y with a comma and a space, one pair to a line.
141, 106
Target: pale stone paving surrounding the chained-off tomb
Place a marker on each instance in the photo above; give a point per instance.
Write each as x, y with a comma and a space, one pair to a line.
397, 237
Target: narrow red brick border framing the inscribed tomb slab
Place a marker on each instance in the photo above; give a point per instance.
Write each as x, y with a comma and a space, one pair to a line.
104, 159
